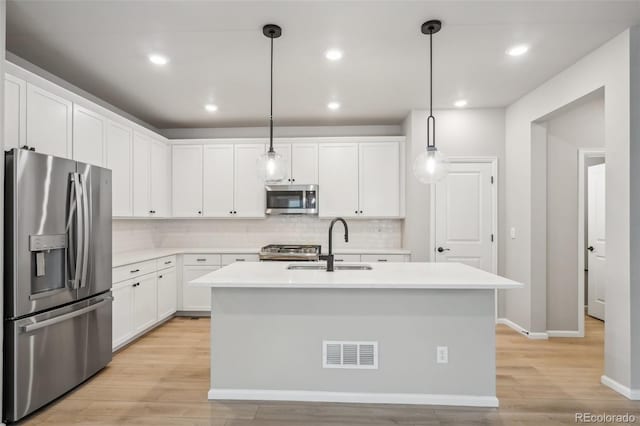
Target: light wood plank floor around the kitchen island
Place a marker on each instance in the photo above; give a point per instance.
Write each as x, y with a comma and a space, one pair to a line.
163, 379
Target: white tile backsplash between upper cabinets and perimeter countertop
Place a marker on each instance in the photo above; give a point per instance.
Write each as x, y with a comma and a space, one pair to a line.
138, 234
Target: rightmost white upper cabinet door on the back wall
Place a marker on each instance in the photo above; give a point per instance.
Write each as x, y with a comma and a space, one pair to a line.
379, 180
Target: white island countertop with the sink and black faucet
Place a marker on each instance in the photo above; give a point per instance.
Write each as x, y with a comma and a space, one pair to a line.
399, 275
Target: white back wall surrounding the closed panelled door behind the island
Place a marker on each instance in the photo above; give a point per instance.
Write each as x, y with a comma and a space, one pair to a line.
461, 133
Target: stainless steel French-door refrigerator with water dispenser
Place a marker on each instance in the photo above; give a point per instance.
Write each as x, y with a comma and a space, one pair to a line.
57, 277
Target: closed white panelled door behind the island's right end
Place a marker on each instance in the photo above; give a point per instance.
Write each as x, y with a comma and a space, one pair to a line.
464, 210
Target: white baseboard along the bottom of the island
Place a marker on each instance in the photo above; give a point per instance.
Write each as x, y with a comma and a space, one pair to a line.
353, 397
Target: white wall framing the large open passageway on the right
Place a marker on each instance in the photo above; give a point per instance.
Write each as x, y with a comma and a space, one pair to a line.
608, 67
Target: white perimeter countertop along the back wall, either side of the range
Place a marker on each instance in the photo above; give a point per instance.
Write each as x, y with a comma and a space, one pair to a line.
134, 256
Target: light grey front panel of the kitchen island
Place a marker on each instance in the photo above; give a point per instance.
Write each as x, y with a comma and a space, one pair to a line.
271, 339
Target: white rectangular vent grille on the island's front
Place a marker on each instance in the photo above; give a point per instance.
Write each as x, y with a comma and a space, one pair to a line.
344, 354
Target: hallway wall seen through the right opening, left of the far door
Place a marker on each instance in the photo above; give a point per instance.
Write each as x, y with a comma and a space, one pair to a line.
582, 126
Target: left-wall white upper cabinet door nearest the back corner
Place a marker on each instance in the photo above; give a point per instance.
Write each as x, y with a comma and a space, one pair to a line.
160, 179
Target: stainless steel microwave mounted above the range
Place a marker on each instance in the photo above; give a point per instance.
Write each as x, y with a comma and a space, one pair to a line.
292, 199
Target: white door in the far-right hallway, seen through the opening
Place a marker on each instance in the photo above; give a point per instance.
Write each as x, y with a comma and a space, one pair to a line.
596, 237
